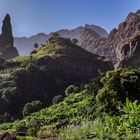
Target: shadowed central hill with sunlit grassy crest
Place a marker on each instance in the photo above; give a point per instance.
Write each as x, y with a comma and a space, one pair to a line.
47, 73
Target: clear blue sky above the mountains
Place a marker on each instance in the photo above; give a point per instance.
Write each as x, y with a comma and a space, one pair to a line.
33, 16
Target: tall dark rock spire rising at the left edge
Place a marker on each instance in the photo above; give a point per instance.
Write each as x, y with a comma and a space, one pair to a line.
7, 51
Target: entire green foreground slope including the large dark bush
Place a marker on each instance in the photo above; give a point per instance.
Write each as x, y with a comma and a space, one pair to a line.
108, 108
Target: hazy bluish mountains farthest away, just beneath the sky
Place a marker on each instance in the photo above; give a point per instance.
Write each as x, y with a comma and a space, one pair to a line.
25, 45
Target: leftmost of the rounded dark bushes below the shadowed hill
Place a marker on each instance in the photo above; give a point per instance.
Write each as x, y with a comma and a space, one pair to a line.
29, 108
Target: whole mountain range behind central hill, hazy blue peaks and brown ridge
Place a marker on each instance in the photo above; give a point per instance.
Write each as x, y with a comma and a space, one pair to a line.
92, 38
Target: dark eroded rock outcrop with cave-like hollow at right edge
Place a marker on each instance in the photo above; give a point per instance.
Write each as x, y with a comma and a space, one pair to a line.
130, 54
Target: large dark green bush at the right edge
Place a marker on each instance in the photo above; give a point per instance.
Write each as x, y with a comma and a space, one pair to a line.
117, 86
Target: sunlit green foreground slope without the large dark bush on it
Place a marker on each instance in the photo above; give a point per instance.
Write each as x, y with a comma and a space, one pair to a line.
80, 116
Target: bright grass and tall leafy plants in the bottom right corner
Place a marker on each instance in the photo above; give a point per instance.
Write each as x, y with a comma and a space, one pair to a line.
125, 126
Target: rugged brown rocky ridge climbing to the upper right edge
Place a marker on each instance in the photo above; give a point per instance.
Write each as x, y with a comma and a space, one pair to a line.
111, 46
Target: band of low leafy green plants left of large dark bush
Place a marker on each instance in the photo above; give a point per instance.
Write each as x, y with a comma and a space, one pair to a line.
73, 109
